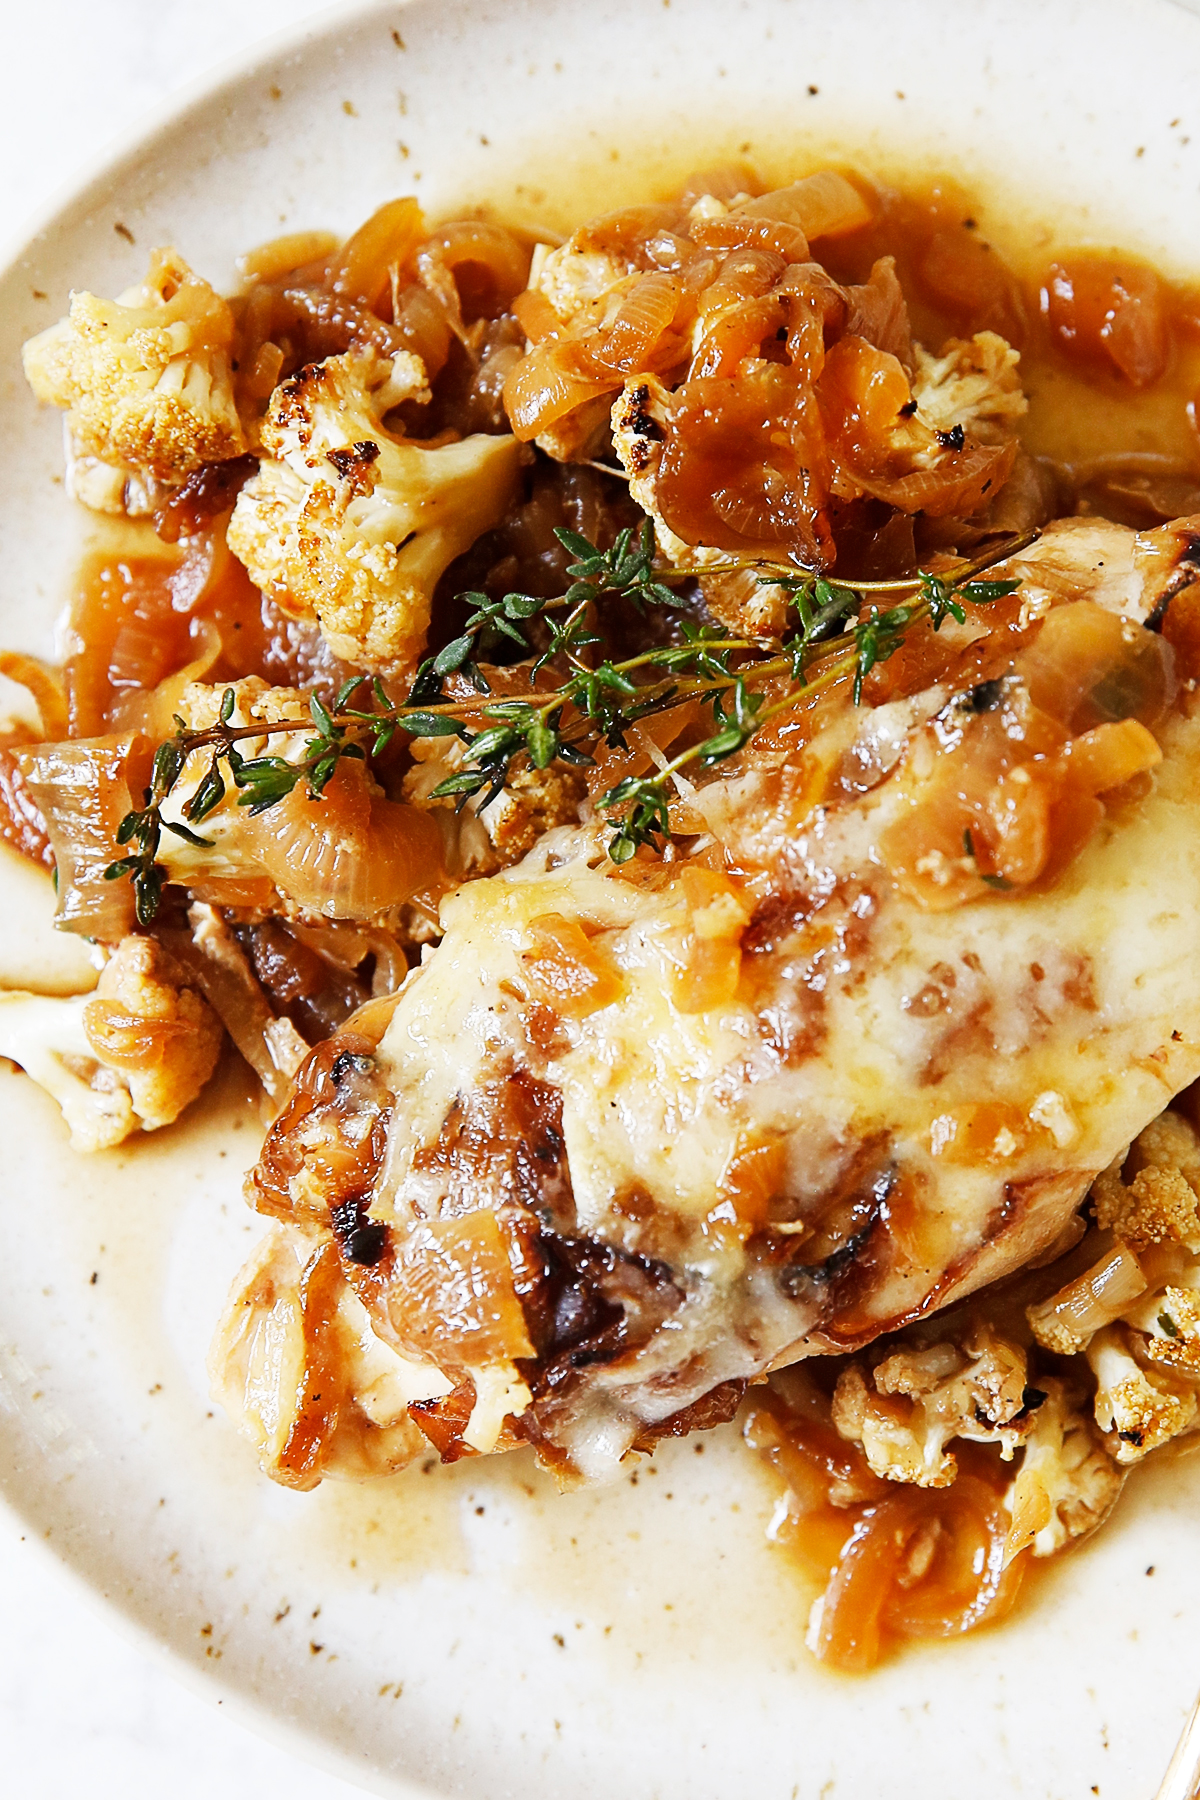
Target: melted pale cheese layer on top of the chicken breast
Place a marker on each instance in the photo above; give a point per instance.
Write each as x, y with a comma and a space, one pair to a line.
1071, 1014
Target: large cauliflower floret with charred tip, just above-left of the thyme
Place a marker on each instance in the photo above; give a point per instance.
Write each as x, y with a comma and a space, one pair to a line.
352, 523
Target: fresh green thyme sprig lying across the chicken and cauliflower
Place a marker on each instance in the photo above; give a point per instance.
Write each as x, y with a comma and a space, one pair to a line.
595, 701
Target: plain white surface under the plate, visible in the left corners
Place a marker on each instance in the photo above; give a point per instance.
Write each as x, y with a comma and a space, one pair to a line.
82, 1711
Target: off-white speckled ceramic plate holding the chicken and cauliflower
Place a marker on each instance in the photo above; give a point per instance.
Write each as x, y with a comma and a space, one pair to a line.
469, 1632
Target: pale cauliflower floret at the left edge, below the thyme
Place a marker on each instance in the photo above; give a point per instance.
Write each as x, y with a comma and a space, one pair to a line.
129, 1057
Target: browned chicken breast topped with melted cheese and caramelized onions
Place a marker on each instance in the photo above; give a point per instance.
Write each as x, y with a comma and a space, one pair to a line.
634, 1137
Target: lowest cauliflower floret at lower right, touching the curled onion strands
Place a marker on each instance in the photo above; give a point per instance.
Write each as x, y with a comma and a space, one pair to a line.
1068, 1482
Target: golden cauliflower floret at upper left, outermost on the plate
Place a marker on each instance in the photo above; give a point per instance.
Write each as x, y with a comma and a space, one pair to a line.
145, 382
